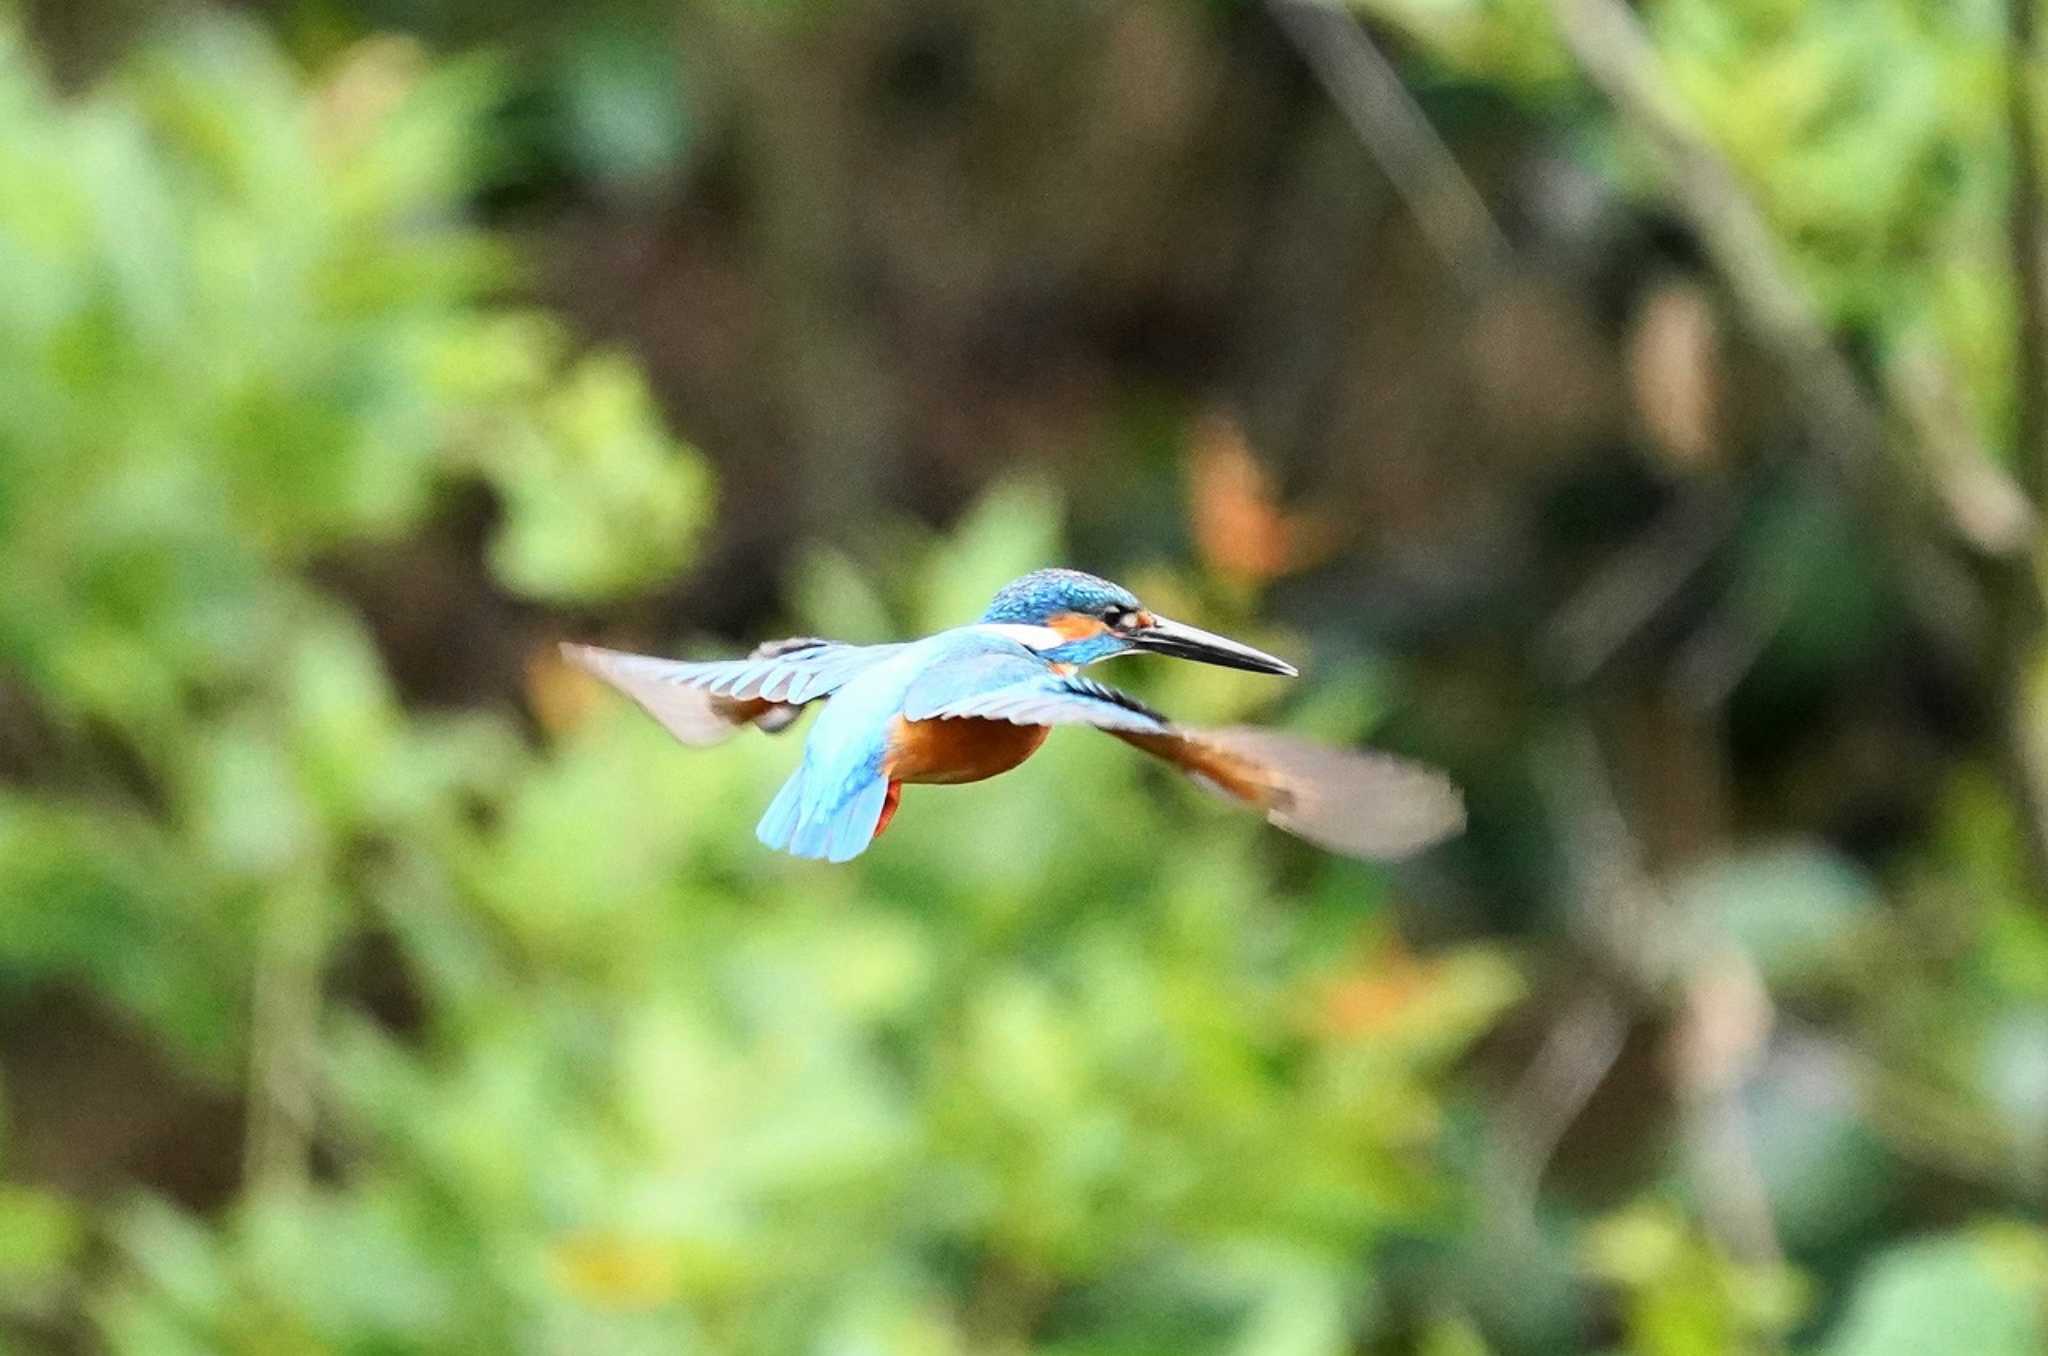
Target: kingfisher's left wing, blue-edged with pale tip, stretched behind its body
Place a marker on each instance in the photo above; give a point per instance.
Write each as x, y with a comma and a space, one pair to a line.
703, 704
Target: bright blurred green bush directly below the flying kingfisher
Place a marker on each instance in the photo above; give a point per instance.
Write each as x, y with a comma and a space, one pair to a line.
675, 1091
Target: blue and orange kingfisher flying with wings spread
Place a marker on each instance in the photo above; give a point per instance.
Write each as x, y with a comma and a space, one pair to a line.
980, 700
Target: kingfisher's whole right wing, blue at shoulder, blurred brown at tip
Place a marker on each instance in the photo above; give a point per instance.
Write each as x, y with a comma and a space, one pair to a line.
1342, 800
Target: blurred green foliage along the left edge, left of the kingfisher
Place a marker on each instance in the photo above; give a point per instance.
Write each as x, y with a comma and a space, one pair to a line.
247, 327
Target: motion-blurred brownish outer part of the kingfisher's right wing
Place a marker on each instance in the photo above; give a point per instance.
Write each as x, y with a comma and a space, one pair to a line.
1369, 806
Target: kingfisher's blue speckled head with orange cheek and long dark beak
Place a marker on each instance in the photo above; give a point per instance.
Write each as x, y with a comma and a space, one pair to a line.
1074, 618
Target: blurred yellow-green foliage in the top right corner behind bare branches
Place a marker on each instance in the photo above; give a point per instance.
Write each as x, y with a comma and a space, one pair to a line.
1871, 136
